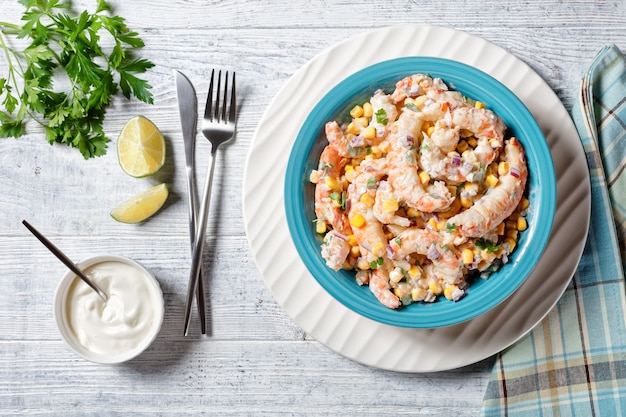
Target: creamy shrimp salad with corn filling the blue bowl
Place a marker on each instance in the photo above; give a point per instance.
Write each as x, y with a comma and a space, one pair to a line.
419, 193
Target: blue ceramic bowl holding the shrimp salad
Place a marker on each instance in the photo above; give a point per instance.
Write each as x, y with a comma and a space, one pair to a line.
483, 295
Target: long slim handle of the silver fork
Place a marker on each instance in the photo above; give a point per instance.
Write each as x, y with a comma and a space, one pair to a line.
198, 246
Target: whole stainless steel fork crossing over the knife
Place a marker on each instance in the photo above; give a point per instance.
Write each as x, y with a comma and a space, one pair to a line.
218, 126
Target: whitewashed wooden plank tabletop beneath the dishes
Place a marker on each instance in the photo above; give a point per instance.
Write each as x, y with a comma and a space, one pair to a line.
257, 361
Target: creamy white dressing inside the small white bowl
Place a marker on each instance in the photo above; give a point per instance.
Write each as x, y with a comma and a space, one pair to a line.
125, 321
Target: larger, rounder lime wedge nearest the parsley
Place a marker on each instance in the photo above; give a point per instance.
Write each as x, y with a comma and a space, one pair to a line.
140, 147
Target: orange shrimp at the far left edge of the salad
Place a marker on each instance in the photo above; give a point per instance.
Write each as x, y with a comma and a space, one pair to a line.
326, 207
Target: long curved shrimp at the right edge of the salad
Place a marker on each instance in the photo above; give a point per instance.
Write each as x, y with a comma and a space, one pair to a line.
495, 206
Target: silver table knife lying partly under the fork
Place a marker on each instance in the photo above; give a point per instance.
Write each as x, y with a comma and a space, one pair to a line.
188, 109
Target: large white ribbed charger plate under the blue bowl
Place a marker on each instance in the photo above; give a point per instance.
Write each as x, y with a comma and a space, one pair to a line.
350, 334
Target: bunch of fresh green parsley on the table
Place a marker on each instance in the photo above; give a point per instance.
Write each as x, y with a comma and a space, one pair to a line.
63, 45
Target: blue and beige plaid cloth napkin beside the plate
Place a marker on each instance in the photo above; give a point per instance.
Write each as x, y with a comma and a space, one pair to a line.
574, 362
